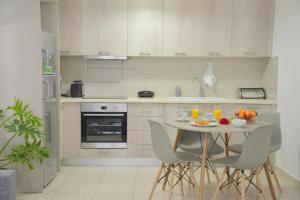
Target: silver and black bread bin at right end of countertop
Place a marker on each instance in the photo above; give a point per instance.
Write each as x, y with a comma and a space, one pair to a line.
251, 93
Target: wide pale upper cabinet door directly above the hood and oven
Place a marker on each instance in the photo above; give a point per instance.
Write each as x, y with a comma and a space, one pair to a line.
104, 27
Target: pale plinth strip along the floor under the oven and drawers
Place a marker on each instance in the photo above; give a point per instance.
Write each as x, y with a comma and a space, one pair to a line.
110, 162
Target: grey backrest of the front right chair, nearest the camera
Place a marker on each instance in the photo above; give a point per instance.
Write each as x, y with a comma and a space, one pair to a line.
256, 149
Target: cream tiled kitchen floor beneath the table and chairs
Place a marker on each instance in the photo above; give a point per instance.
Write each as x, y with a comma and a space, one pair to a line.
131, 183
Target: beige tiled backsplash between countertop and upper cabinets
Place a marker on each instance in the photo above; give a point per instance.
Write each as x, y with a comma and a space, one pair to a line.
161, 75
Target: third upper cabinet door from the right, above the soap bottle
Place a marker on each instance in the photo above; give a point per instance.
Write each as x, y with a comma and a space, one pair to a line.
179, 27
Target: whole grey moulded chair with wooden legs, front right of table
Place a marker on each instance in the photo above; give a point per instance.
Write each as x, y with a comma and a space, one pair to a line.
255, 152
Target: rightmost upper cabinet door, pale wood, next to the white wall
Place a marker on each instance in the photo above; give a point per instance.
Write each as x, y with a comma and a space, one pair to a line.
250, 27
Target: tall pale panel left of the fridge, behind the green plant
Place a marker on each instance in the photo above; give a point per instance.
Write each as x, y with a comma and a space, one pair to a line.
20, 67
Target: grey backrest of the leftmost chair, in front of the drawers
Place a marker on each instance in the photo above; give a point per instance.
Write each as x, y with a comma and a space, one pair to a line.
161, 143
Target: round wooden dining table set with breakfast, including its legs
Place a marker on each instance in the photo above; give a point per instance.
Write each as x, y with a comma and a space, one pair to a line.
224, 131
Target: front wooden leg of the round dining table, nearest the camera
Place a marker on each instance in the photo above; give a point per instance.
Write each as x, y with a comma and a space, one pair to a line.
203, 164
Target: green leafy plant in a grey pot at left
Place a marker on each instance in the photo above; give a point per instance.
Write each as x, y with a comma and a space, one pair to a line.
17, 122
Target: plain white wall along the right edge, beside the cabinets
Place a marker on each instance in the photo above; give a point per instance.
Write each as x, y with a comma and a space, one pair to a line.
287, 47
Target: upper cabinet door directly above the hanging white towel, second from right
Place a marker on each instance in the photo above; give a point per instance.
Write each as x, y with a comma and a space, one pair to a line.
214, 27
